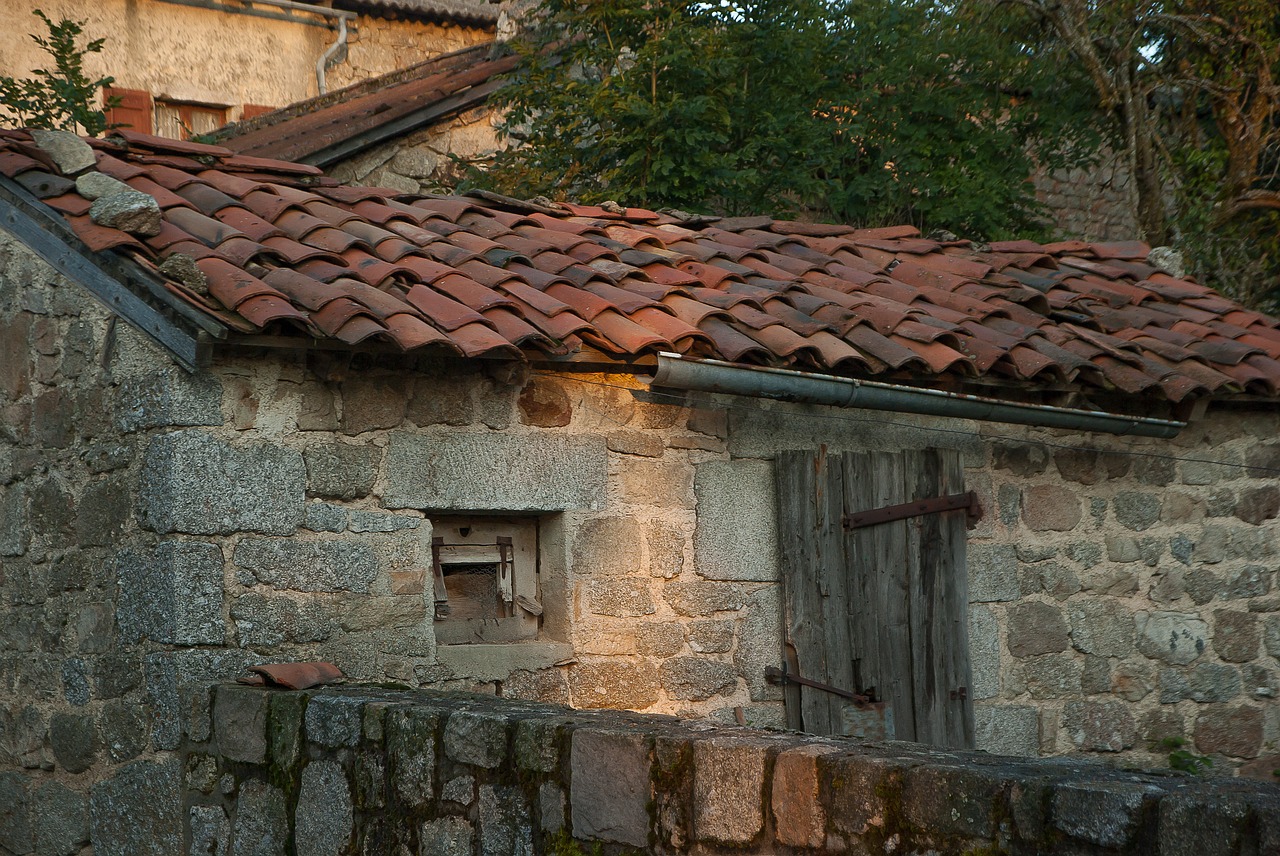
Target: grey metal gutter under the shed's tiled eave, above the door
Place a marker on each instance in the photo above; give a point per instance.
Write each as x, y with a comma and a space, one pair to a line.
676, 372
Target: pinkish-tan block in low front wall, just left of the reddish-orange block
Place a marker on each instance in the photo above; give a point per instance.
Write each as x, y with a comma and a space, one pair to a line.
729, 781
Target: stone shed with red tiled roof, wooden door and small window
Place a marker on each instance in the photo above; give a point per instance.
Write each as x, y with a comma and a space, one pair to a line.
252, 414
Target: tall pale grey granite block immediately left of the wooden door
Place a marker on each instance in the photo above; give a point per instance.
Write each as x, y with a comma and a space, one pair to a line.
737, 535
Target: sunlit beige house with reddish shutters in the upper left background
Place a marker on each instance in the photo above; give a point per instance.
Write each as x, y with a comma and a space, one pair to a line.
253, 58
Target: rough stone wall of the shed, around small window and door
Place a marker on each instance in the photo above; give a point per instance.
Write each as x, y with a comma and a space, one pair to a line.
161, 532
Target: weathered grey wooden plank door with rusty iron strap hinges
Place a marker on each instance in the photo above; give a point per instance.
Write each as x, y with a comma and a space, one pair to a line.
880, 607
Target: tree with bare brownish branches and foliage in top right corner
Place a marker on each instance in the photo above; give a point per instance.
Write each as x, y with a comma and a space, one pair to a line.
1190, 88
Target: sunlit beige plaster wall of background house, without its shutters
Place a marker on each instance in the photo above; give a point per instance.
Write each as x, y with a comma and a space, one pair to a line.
218, 58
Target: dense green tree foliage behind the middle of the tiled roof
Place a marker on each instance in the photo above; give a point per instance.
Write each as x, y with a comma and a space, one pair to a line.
866, 112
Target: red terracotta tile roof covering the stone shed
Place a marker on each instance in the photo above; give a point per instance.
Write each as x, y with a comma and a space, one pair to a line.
286, 249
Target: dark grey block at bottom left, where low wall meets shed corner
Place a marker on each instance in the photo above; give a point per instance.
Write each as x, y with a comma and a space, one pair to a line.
139, 811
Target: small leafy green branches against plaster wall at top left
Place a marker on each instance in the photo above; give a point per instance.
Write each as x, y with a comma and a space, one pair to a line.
62, 98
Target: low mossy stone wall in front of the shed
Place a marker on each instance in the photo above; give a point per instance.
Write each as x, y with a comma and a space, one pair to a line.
368, 771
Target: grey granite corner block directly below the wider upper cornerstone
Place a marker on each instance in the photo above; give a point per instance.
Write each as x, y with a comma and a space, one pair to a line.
172, 594
